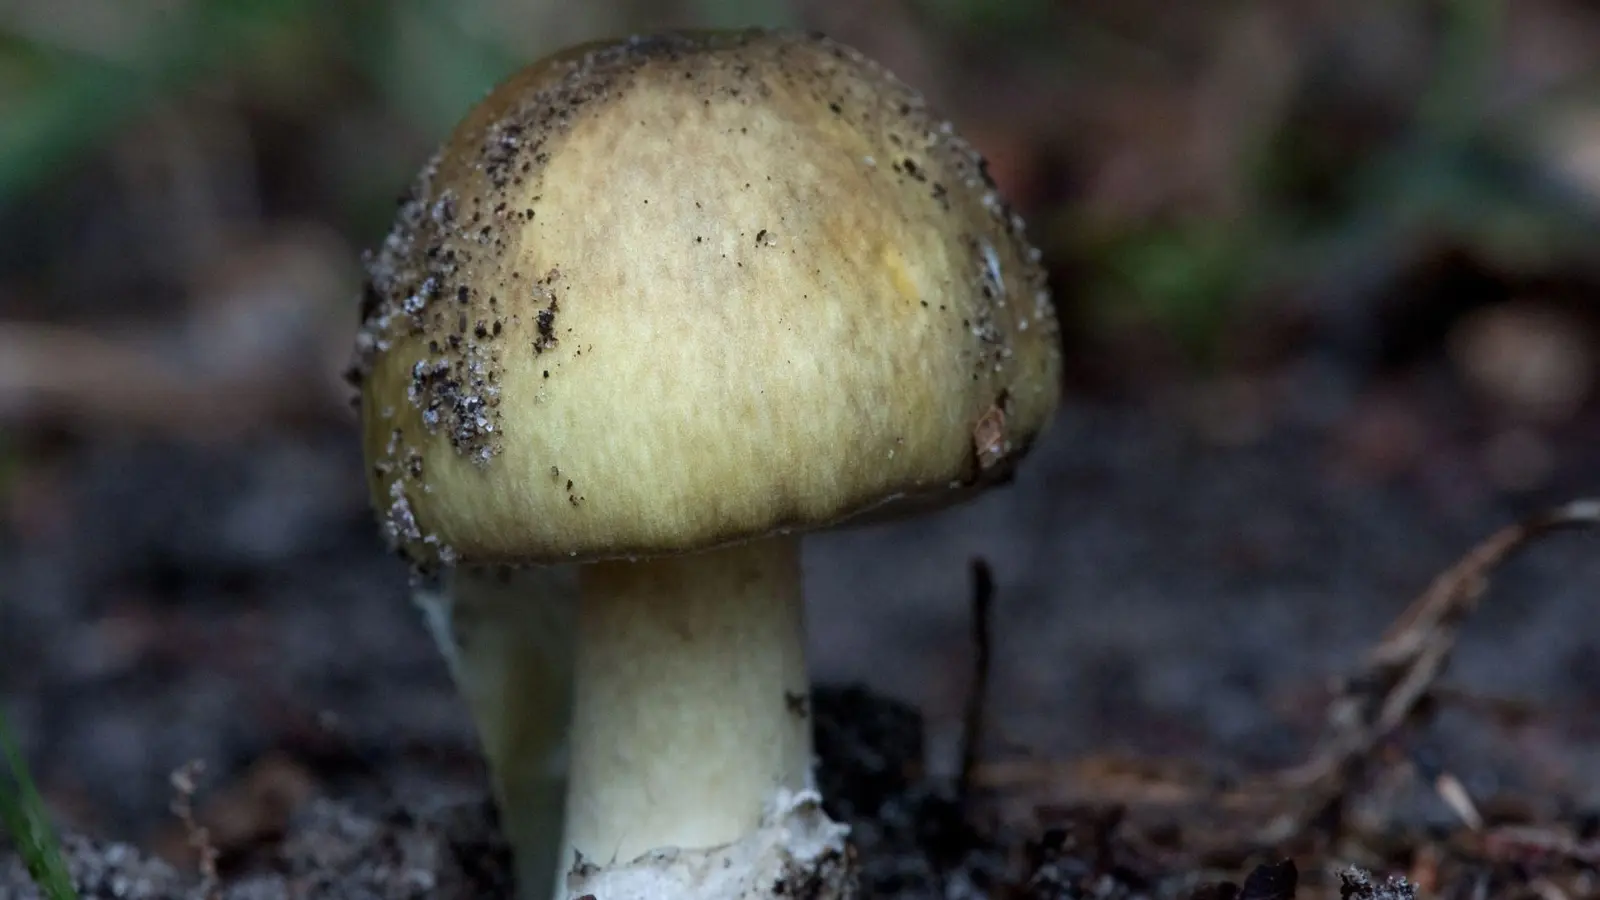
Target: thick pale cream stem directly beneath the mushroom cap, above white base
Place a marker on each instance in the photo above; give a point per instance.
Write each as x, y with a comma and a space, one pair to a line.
692, 701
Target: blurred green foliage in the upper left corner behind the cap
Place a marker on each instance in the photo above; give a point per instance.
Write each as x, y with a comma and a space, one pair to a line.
71, 76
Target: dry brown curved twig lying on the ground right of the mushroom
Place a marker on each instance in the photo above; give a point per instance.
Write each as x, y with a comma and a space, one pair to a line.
1372, 717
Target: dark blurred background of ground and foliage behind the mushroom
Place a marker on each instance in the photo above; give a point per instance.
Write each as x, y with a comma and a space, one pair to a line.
1329, 276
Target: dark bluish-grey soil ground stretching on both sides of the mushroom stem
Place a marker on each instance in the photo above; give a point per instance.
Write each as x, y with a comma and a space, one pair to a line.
1161, 601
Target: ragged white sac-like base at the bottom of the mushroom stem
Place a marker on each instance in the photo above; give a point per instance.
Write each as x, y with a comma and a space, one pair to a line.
798, 853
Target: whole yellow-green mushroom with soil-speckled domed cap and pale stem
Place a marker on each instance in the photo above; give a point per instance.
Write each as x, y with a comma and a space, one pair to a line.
657, 308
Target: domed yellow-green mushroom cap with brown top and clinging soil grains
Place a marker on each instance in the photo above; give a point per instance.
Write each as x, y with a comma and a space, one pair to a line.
673, 292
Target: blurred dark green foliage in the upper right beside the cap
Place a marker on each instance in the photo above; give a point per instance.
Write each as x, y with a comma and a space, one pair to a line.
1454, 174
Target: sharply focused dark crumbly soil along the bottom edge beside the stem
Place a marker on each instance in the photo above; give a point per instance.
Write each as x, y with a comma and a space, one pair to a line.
914, 840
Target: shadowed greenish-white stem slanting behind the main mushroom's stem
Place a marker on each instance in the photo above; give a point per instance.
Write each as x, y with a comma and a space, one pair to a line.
508, 637
